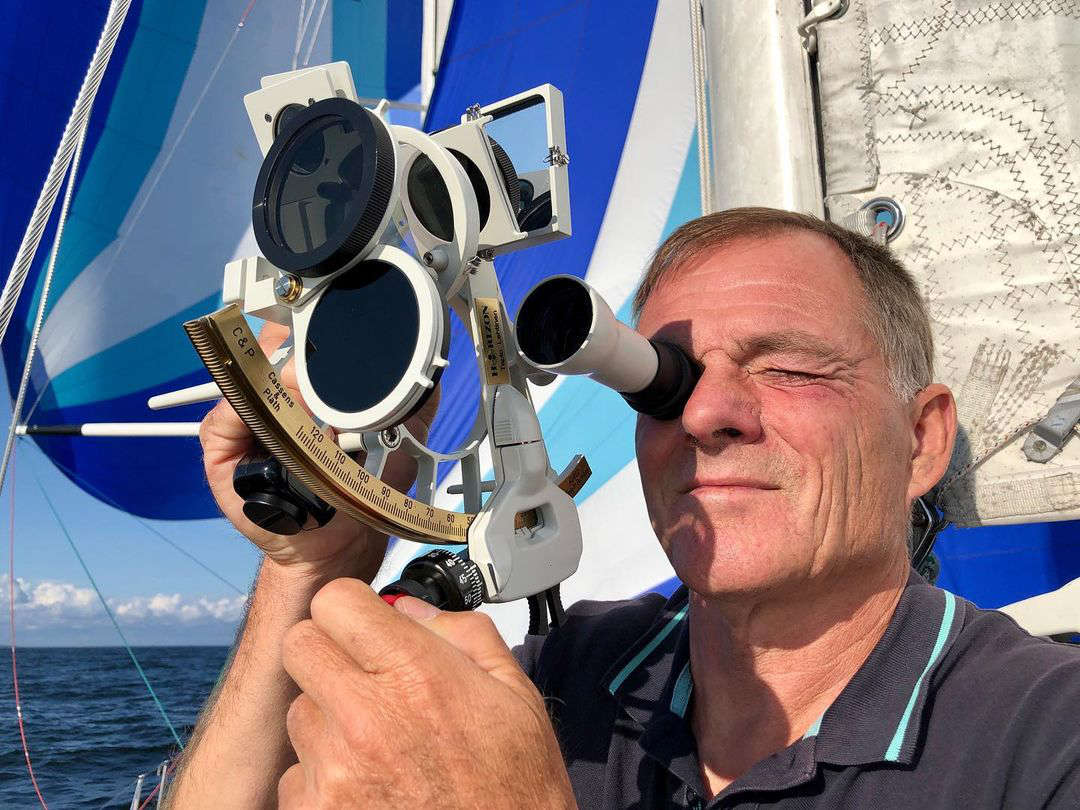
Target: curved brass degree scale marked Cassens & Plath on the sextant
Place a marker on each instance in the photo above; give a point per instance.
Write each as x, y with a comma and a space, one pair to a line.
232, 354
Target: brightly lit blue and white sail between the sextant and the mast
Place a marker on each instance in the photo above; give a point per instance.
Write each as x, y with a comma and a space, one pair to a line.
630, 119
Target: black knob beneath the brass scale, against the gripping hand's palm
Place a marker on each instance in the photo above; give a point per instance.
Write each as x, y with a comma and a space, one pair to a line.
274, 499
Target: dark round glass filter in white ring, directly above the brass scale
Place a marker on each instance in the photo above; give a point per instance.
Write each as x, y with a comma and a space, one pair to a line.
362, 336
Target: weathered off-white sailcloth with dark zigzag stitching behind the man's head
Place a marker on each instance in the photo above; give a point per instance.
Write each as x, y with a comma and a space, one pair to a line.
968, 115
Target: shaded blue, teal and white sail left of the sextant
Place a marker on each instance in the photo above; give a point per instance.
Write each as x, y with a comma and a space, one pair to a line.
163, 204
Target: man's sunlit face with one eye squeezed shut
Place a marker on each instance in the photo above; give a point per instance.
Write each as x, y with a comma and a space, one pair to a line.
793, 457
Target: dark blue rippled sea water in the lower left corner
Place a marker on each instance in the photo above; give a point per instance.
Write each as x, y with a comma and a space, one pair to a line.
91, 724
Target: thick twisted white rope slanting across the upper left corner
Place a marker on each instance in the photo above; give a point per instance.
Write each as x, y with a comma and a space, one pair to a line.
76, 125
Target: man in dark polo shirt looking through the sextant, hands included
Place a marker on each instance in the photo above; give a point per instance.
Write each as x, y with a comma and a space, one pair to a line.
803, 665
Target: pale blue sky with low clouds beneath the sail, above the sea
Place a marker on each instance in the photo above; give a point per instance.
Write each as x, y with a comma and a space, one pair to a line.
158, 593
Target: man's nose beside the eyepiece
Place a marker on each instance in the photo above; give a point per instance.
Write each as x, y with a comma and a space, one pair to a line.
723, 409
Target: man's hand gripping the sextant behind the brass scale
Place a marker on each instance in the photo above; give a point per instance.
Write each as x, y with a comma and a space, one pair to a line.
344, 545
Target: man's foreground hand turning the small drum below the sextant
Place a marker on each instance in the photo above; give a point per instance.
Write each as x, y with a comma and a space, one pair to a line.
411, 707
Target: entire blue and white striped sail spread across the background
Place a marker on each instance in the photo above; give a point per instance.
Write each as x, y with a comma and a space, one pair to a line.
164, 202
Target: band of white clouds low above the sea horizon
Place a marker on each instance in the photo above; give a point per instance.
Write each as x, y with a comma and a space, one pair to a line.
40, 605
